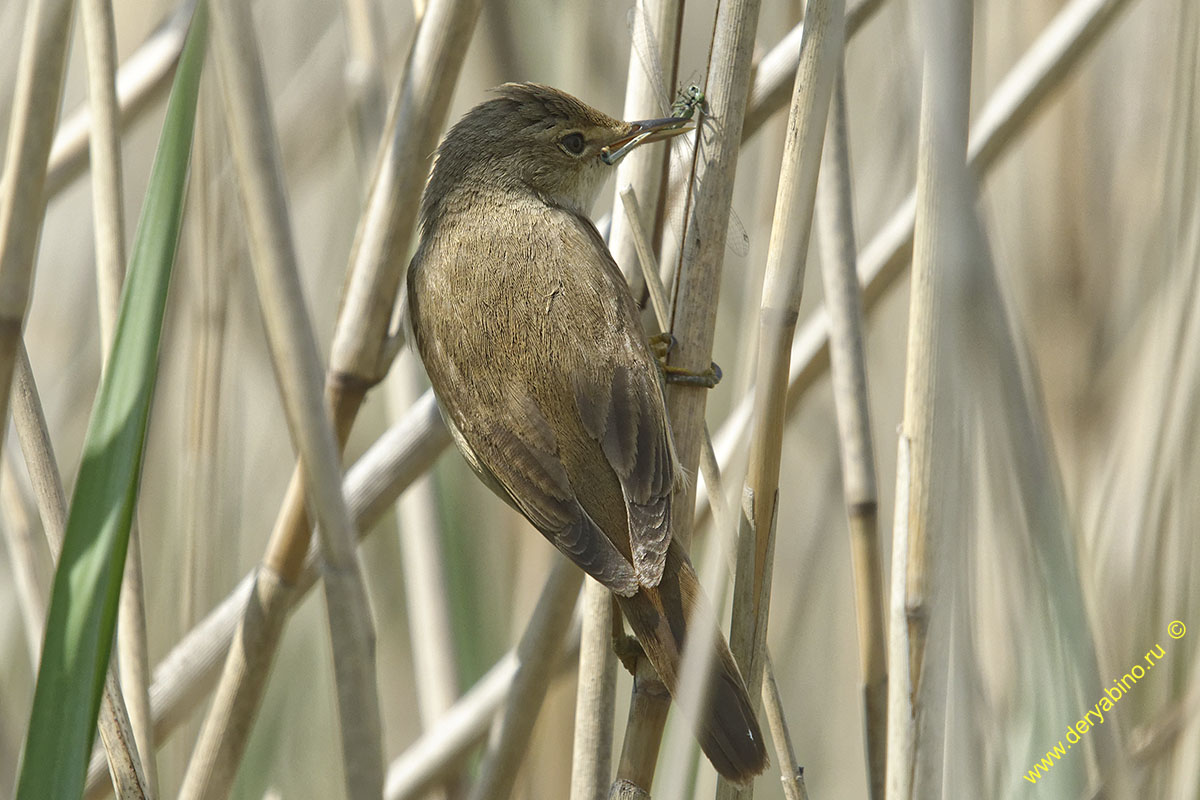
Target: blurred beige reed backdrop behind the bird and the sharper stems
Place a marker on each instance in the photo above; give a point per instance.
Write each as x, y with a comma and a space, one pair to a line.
1064, 486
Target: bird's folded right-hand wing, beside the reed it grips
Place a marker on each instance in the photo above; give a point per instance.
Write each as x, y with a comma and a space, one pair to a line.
623, 410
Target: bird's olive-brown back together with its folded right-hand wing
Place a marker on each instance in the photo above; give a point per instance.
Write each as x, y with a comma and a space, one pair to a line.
526, 314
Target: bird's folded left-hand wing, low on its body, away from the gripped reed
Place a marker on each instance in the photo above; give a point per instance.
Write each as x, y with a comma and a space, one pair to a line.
515, 452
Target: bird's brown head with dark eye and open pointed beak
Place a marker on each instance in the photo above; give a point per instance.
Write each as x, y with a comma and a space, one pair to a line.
535, 139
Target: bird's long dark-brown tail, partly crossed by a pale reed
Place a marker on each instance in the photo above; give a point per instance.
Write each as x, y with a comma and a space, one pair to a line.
724, 718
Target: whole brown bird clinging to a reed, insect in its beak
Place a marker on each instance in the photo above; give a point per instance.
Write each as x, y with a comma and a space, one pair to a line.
547, 380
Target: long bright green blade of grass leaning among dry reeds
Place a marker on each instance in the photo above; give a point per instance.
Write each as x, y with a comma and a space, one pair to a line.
87, 585
